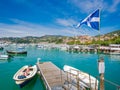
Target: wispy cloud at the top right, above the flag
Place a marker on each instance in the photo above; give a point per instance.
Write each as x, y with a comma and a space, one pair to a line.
87, 6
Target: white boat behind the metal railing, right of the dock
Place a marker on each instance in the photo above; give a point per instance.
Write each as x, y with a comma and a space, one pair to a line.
86, 80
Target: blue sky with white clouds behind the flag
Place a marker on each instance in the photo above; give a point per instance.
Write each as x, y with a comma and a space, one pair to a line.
19, 18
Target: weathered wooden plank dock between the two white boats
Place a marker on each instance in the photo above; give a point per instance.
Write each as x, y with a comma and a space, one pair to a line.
56, 79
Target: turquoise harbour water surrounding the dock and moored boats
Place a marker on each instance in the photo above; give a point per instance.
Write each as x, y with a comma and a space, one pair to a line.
84, 61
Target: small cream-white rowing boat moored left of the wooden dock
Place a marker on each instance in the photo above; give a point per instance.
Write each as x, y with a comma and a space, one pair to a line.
25, 74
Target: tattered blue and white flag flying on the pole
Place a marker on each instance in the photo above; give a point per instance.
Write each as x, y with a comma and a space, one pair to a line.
92, 20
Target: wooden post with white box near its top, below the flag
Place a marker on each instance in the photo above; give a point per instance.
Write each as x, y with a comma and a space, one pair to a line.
101, 67
